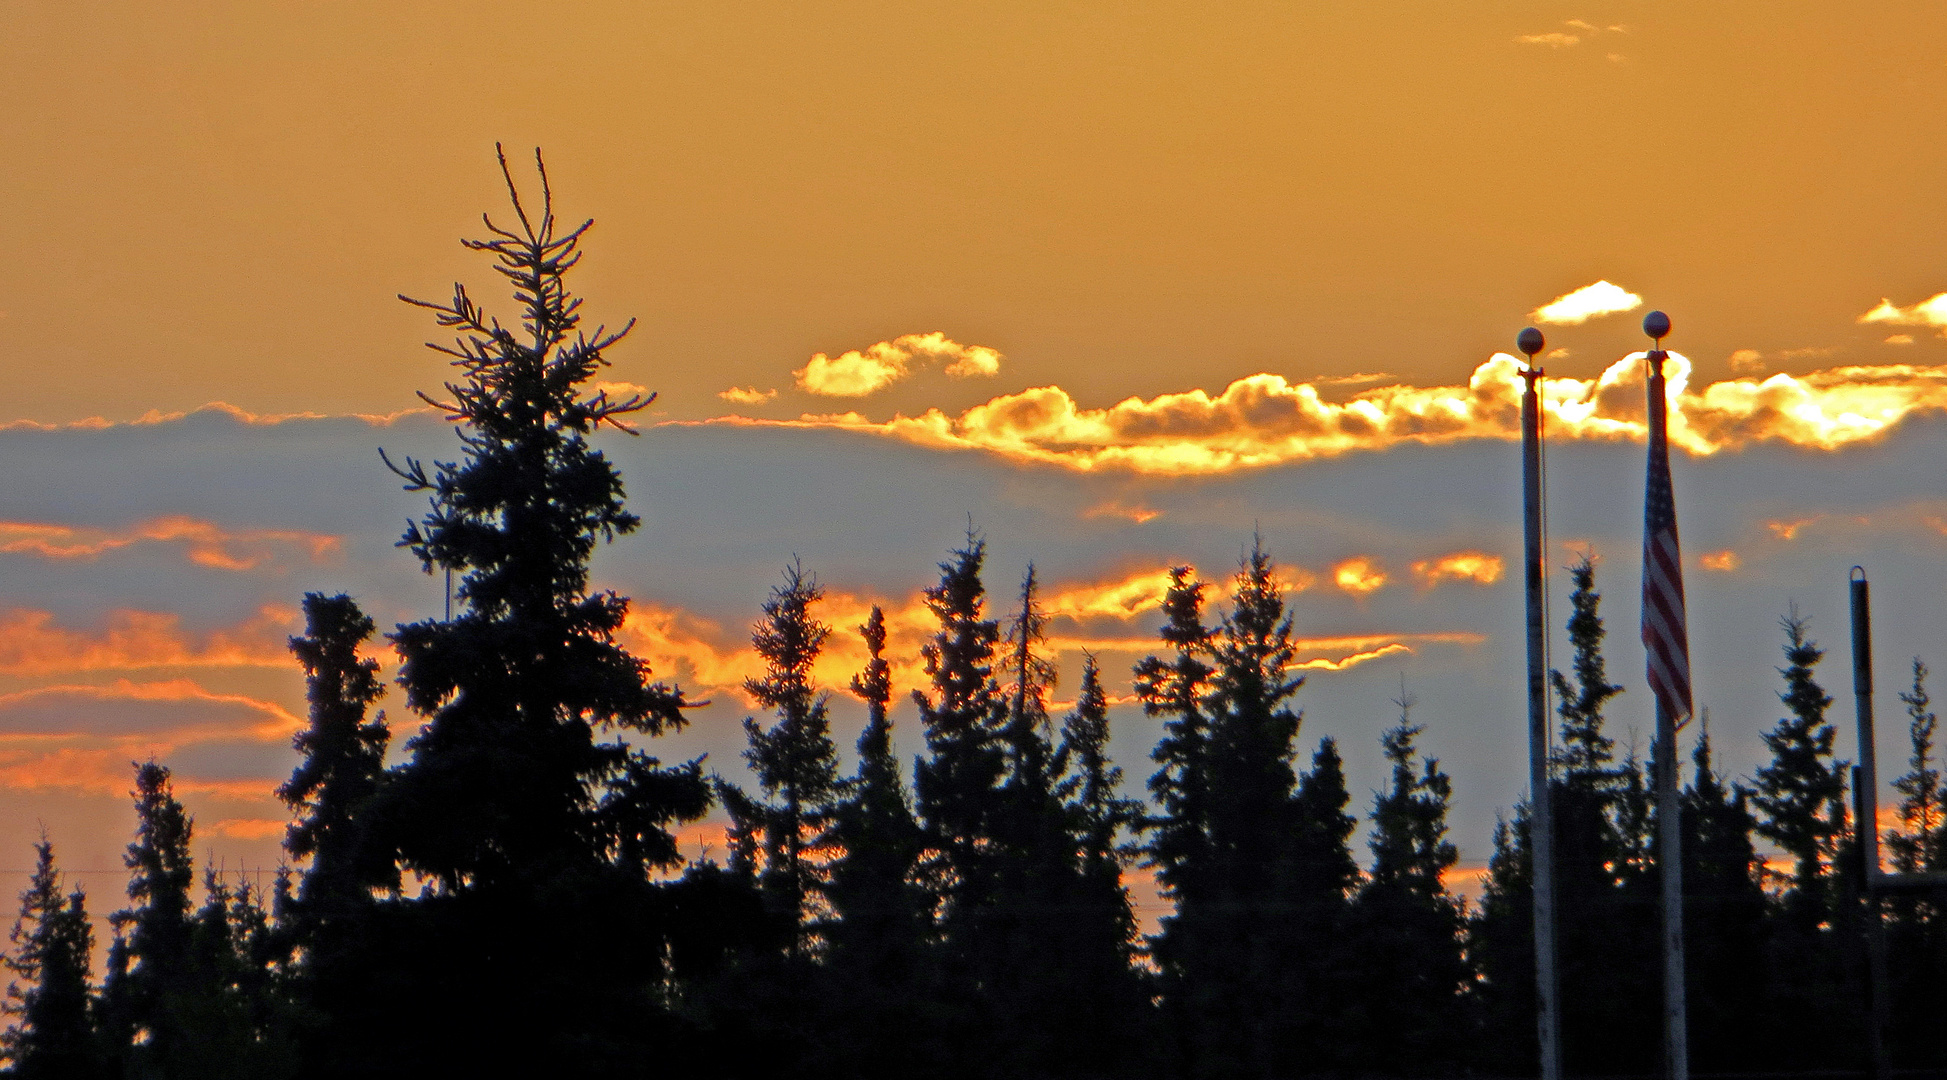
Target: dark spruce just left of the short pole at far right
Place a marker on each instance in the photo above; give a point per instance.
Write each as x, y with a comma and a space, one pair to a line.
1802, 809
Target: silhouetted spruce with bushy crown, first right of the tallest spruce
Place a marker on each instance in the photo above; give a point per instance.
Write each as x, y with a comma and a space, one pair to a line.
793, 760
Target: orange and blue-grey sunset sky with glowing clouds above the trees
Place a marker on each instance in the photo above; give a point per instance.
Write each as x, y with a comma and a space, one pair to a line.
1120, 281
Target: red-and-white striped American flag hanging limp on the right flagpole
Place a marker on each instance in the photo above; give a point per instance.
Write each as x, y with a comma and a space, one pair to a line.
1664, 567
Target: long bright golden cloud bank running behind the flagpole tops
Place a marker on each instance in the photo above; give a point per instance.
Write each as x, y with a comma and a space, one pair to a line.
1265, 421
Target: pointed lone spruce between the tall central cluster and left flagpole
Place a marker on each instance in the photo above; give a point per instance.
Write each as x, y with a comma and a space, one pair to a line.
1407, 1013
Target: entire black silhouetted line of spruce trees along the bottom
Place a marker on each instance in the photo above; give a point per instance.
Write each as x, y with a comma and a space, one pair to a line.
509, 896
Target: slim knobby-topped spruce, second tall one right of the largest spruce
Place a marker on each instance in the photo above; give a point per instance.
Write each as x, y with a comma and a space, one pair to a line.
877, 939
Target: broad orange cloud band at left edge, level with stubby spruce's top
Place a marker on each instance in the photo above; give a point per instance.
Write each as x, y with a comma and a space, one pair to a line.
34, 645
